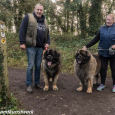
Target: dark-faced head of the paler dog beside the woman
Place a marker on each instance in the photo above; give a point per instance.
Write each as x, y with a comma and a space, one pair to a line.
82, 57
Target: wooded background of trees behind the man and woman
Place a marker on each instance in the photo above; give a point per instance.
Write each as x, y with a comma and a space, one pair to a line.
76, 17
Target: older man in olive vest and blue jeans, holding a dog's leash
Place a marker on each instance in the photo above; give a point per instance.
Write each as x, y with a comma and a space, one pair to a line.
34, 36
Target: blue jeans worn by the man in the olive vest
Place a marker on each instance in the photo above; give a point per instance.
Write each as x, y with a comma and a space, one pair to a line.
34, 56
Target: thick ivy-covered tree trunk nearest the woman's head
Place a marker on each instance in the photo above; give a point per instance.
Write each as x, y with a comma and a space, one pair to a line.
95, 16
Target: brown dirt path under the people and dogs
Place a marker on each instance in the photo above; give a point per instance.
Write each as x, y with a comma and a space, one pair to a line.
65, 101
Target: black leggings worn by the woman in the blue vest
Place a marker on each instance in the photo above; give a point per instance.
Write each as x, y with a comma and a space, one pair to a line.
104, 65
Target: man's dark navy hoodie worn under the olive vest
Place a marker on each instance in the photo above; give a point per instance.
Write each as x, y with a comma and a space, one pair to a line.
40, 38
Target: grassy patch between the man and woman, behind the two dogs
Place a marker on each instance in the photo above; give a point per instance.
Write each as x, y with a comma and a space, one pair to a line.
67, 45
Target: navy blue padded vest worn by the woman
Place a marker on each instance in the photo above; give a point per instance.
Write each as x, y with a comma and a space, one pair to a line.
107, 39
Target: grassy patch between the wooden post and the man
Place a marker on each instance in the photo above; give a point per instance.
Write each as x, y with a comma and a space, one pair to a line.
16, 57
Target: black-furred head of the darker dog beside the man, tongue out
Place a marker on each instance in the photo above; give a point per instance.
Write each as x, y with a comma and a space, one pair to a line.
51, 56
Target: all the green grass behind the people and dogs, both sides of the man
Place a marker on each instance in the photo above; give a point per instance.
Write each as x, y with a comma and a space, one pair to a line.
66, 44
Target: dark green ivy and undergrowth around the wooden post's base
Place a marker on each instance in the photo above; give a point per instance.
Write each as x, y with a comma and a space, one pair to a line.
7, 101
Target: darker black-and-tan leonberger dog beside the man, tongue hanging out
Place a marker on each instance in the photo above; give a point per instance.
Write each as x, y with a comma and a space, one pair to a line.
51, 64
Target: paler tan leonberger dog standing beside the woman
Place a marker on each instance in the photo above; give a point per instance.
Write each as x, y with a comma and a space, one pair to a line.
87, 67
